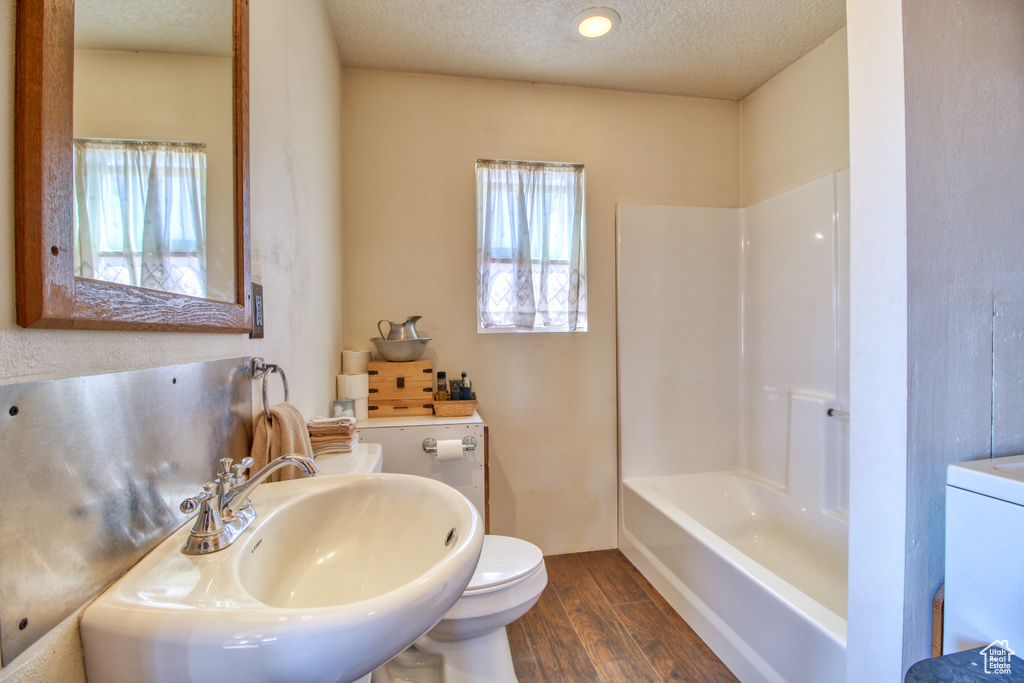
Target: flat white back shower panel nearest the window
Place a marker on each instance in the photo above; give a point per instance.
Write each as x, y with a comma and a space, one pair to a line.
679, 332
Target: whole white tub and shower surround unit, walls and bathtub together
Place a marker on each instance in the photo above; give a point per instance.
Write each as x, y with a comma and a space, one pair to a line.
735, 447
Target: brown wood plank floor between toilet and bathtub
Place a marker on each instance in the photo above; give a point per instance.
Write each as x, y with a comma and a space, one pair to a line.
600, 620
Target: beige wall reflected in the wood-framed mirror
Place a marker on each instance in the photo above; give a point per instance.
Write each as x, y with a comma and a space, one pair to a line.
178, 98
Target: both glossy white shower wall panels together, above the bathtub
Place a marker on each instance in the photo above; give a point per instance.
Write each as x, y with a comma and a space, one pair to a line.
724, 316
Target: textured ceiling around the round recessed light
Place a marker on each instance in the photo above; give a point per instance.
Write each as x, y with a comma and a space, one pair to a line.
708, 49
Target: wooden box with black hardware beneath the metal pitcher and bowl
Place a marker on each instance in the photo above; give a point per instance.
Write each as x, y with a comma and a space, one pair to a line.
401, 389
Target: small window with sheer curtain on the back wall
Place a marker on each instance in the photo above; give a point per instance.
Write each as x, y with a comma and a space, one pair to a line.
532, 247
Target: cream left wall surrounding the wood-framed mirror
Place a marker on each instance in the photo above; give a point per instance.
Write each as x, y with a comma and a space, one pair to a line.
295, 109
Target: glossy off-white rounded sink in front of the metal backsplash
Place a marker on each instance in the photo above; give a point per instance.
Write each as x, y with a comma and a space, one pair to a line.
336, 576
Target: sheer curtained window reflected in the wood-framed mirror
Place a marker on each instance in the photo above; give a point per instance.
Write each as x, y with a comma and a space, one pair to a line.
141, 215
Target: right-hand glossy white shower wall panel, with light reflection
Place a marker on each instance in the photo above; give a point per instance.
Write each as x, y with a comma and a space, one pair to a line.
791, 317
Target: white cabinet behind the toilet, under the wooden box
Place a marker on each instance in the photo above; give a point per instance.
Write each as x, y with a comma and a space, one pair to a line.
402, 441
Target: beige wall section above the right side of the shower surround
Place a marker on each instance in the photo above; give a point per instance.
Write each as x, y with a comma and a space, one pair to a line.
796, 127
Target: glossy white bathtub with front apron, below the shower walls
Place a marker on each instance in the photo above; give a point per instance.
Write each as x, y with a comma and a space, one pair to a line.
762, 581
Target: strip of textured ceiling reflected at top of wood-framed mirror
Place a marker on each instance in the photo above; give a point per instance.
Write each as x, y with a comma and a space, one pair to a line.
184, 27
